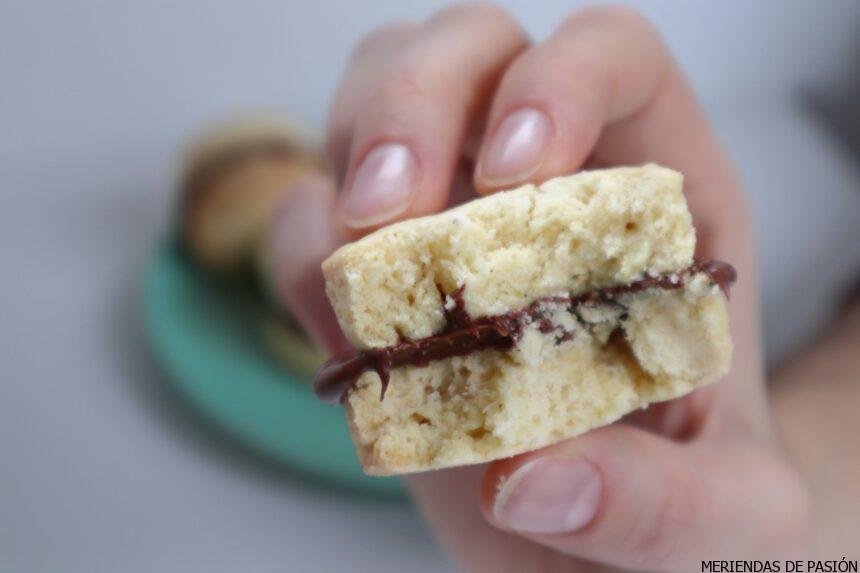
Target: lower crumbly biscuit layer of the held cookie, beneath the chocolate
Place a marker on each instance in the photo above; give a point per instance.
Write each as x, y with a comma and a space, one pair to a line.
493, 404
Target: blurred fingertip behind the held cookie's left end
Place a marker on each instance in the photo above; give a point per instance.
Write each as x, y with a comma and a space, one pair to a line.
302, 235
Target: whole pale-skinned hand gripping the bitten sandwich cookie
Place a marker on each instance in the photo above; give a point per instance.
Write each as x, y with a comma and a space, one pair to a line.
426, 113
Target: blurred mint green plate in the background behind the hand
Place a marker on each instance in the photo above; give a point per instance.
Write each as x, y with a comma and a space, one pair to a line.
205, 337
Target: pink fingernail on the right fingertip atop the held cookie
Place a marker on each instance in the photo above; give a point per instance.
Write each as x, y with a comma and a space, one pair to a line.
516, 149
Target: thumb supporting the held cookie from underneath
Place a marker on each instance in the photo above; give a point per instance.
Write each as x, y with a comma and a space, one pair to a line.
628, 498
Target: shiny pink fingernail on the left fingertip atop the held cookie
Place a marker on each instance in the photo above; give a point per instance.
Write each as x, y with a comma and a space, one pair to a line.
382, 187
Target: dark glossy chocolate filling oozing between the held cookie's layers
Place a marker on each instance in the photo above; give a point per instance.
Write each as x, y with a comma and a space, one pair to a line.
463, 334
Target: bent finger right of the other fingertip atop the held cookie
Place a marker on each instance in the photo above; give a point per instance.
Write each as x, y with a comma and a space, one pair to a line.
602, 88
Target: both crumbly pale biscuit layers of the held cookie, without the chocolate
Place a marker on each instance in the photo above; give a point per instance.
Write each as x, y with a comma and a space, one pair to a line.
567, 236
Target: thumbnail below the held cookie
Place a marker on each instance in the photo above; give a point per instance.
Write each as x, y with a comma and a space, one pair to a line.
549, 495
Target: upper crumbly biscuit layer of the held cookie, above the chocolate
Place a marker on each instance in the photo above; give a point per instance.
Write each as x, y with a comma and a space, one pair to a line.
570, 234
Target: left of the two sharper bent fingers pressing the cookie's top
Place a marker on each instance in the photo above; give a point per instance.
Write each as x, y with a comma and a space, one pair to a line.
417, 99
